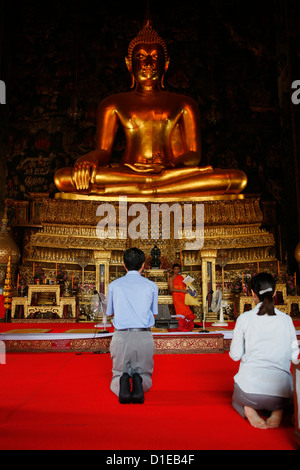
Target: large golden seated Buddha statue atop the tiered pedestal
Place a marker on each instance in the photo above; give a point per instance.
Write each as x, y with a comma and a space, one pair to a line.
163, 140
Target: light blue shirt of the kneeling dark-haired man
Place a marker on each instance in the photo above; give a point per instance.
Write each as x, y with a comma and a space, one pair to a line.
133, 300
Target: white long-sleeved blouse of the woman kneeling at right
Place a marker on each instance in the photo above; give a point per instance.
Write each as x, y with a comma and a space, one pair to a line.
266, 346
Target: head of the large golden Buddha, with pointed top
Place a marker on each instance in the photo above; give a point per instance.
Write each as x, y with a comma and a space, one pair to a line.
147, 59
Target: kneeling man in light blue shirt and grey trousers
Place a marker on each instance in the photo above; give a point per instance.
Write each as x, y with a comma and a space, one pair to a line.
133, 300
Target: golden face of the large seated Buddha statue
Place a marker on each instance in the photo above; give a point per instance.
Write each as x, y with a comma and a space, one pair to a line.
148, 64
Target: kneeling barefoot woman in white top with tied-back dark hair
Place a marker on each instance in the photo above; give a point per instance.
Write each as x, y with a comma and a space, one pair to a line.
265, 341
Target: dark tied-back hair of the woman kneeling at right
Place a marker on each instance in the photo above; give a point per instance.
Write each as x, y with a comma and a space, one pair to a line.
263, 285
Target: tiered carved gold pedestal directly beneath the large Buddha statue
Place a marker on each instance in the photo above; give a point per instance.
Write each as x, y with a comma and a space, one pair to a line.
69, 226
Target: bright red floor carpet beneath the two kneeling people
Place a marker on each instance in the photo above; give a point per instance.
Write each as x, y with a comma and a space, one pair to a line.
63, 401
